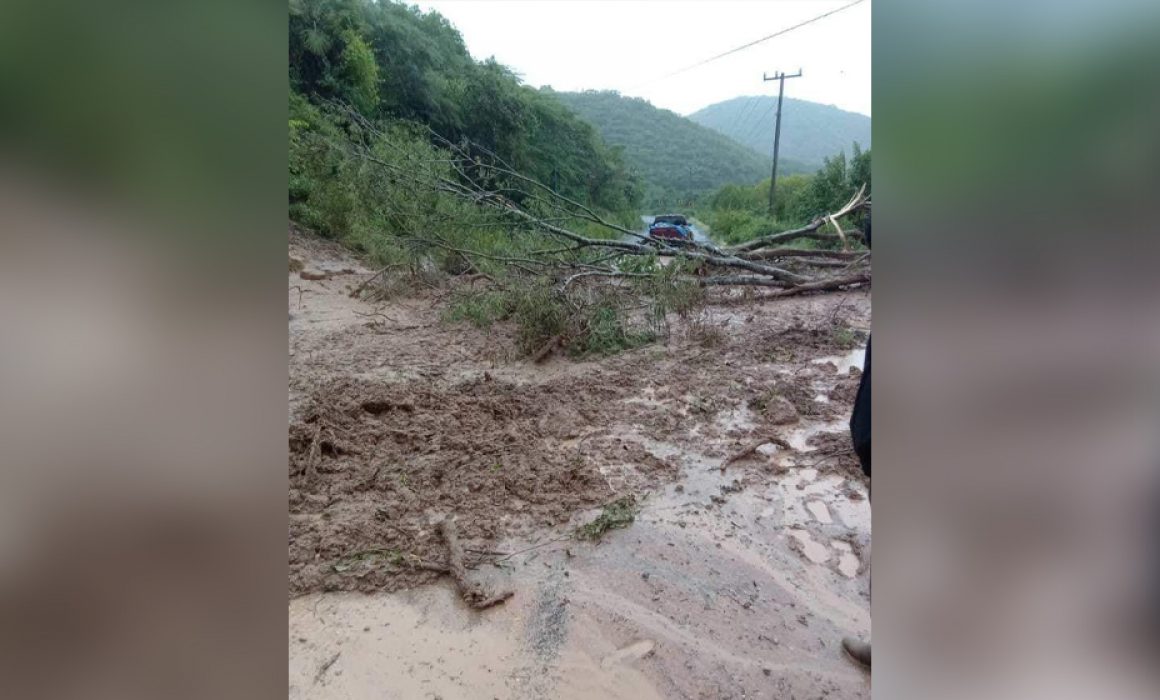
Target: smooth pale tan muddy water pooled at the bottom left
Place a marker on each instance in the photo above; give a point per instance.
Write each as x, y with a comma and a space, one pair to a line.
427, 645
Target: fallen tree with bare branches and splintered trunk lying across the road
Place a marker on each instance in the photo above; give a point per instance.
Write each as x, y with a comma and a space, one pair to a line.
590, 247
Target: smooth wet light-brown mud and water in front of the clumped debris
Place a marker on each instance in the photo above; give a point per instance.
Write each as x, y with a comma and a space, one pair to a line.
701, 597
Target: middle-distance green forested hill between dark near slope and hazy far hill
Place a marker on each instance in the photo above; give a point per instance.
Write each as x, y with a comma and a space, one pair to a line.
673, 155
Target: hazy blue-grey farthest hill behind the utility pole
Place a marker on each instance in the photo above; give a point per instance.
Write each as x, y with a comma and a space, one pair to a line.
810, 132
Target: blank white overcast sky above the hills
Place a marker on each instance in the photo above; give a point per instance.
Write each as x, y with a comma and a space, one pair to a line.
629, 46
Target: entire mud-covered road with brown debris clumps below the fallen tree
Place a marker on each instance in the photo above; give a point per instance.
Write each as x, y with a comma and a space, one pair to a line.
734, 582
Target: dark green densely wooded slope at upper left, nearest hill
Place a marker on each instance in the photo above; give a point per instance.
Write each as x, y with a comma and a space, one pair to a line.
400, 66
